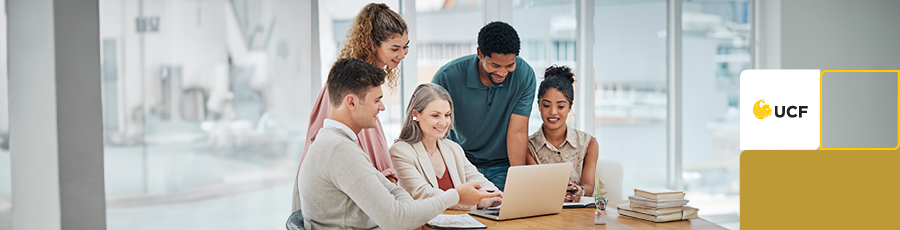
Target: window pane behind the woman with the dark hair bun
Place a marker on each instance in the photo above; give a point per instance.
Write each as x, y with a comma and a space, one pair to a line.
545, 27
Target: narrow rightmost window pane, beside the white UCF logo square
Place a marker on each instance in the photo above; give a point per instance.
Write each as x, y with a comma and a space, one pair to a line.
715, 49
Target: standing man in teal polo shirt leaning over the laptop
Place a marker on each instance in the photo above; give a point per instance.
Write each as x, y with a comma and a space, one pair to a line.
493, 93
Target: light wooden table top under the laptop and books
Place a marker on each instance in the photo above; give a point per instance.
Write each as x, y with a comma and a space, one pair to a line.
583, 218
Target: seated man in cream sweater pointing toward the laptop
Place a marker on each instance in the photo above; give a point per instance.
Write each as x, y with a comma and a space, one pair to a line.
339, 188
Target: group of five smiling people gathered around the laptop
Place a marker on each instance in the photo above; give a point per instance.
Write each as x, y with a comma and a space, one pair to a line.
448, 155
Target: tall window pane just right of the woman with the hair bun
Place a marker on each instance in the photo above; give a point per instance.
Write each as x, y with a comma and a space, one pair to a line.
630, 96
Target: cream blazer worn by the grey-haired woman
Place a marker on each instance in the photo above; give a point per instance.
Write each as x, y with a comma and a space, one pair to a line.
416, 174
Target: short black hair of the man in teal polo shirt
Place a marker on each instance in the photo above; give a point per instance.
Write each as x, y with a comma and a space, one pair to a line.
498, 38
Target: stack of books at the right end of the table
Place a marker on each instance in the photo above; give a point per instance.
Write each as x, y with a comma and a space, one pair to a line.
658, 205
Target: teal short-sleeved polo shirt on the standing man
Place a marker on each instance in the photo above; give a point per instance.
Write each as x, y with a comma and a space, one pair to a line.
482, 113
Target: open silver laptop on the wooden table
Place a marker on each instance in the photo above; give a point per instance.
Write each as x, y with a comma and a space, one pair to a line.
531, 190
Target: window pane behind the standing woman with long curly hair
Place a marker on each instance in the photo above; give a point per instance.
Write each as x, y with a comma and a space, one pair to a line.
335, 18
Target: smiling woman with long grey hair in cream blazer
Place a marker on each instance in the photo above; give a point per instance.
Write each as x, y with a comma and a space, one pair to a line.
427, 163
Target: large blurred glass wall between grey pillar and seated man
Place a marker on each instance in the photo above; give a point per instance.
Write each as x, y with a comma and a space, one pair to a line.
203, 119
